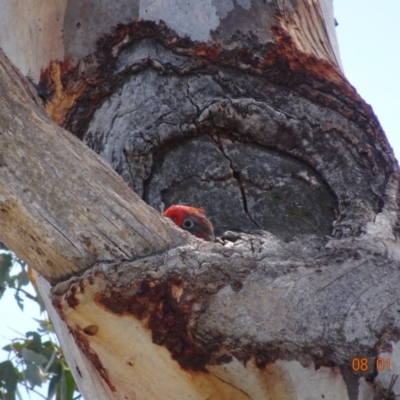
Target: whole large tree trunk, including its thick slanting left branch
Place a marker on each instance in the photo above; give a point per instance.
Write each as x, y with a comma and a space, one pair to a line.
239, 107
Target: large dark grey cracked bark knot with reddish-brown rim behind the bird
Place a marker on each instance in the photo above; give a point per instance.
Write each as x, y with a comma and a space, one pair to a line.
252, 164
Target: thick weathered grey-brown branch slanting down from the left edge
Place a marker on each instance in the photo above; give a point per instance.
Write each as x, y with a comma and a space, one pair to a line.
63, 208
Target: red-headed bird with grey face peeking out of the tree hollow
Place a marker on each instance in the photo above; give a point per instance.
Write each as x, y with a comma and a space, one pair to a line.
191, 219
